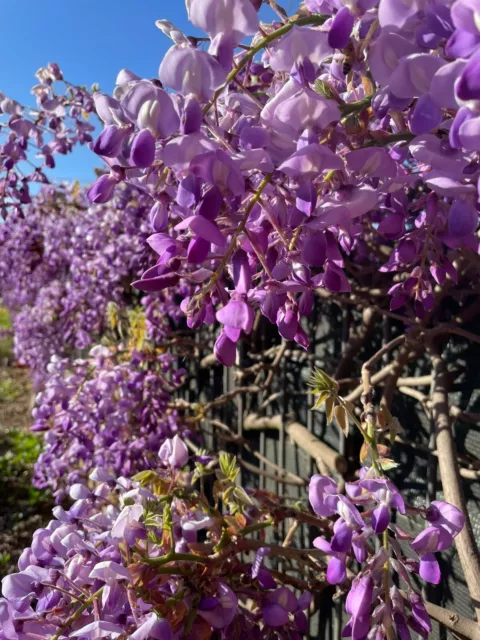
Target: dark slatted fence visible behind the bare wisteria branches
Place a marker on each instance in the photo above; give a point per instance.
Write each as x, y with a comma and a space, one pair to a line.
287, 399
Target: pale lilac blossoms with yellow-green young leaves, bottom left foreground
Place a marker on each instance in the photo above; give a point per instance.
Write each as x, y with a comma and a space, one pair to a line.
149, 559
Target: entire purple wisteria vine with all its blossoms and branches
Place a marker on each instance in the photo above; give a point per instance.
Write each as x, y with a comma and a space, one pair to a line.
331, 155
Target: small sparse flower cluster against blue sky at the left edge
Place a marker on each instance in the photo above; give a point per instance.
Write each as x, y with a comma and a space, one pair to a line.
31, 137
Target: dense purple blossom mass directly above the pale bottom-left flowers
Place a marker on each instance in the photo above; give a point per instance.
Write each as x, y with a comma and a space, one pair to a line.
110, 410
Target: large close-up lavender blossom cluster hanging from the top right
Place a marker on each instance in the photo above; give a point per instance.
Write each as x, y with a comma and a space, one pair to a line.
279, 167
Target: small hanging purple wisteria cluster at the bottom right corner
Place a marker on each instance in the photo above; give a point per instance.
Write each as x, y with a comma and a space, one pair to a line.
375, 602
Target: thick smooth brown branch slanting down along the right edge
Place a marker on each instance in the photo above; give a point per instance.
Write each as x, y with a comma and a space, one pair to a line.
450, 476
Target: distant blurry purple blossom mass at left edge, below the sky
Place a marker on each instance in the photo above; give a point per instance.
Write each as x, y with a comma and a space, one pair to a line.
62, 261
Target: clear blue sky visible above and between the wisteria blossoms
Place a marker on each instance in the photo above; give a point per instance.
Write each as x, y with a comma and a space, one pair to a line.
91, 40
